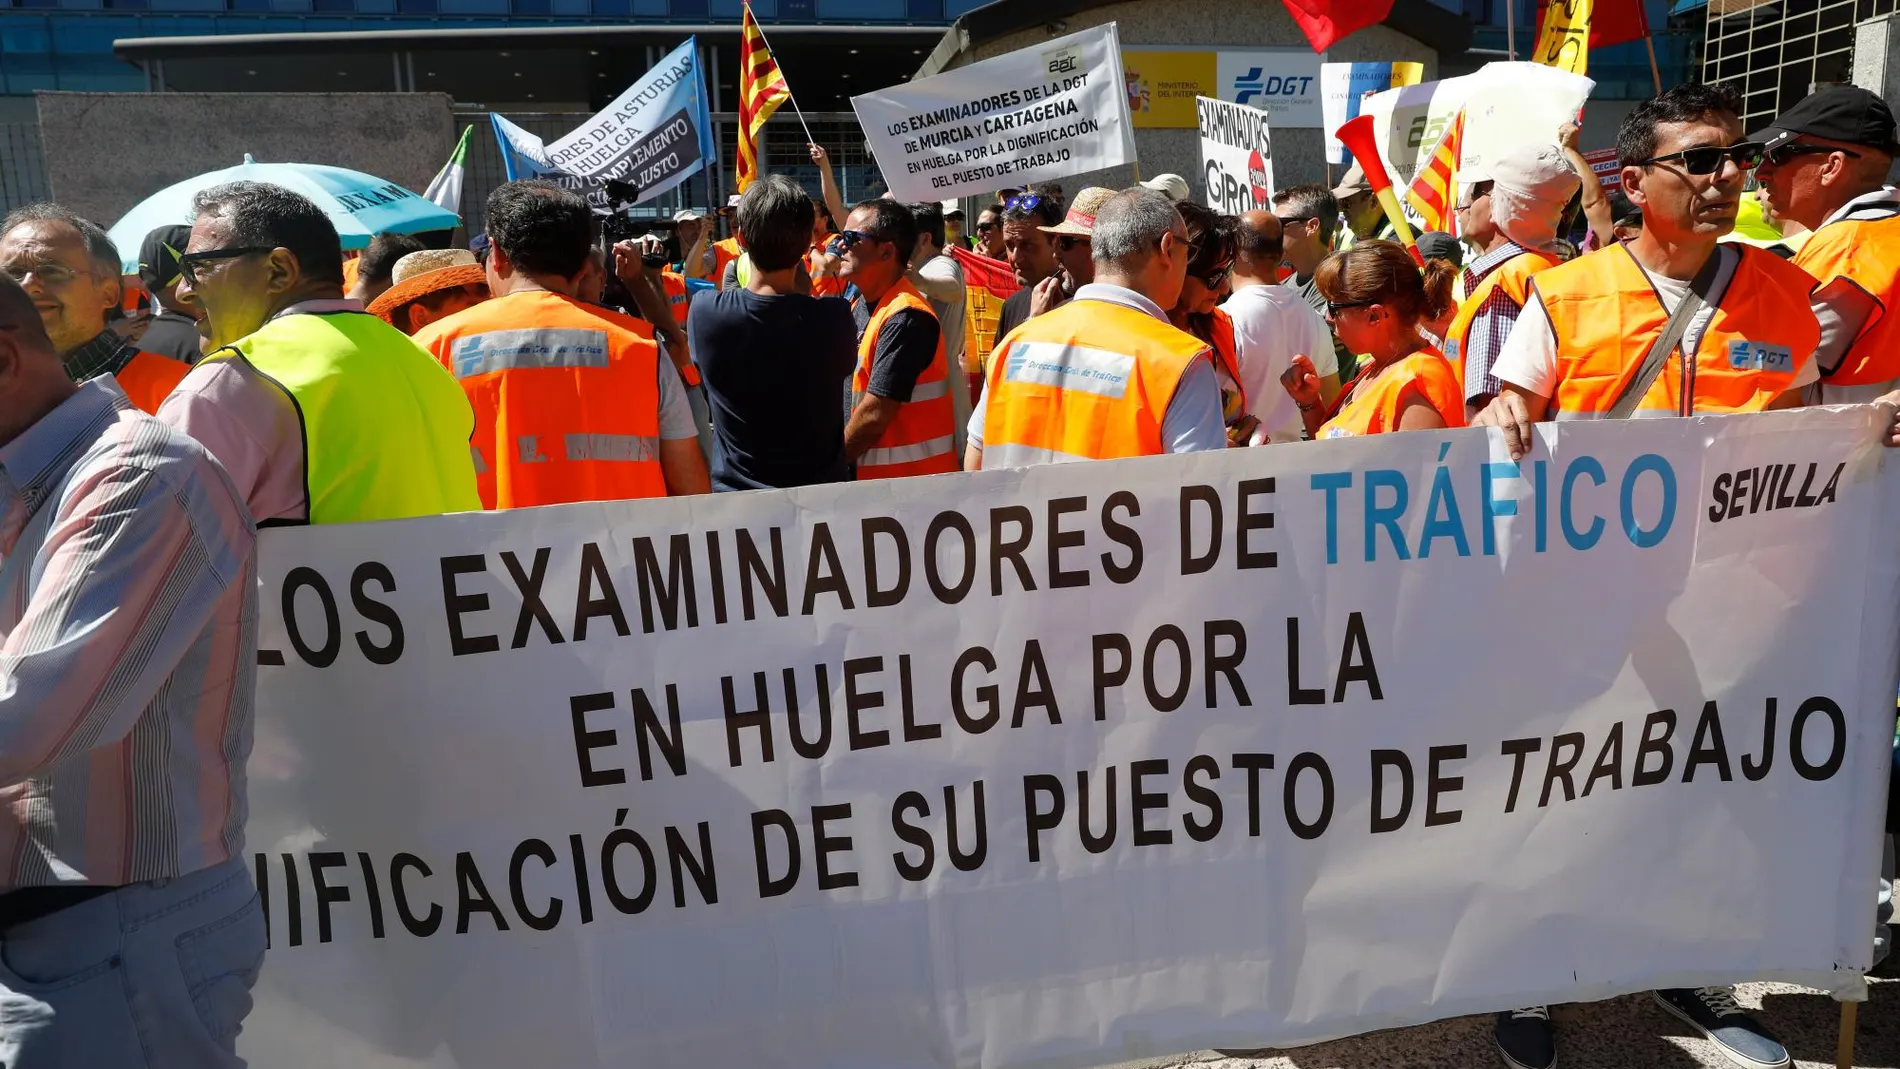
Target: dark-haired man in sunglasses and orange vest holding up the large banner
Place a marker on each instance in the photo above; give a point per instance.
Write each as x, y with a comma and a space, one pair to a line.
1608, 337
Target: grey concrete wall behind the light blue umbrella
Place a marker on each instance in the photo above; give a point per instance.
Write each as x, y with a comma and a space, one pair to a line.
105, 153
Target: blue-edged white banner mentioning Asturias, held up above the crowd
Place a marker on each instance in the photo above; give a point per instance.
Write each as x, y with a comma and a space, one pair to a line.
655, 136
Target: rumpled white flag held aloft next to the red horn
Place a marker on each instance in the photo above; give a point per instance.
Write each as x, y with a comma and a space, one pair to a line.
1506, 105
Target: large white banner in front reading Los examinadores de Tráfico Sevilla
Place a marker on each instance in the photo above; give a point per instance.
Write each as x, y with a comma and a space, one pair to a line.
1084, 762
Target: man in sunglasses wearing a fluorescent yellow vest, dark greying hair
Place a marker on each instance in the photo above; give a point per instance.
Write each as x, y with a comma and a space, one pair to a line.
320, 411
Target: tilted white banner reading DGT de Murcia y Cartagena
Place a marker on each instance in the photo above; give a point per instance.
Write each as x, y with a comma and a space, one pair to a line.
1036, 115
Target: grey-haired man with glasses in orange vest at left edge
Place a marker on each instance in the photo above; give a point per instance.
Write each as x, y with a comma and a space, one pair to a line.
71, 271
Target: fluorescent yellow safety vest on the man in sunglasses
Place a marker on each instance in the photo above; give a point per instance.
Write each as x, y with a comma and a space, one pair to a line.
385, 426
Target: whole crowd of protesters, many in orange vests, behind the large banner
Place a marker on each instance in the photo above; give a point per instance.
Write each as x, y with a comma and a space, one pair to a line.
273, 383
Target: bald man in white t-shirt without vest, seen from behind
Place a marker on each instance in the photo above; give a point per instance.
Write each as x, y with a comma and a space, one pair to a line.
1272, 326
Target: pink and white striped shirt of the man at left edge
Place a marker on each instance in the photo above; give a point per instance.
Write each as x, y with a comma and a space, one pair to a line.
128, 647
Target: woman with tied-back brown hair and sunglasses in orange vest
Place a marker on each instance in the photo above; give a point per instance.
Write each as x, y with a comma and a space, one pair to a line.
1377, 301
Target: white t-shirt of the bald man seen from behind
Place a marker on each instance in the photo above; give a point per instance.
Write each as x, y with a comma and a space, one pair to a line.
1272, 326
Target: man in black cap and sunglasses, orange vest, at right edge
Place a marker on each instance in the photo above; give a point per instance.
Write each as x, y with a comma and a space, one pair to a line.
1825, 166
